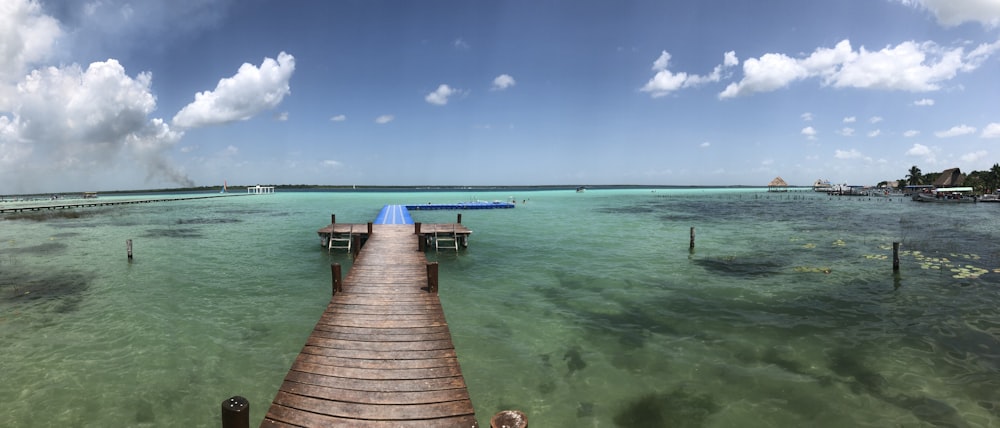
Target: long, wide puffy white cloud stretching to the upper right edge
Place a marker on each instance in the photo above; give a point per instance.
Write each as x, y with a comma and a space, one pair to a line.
908, 66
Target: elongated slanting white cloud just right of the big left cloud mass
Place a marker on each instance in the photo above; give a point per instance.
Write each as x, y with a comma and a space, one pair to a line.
250, 91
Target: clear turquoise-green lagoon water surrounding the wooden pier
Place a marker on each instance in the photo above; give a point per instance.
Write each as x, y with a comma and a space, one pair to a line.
582, 310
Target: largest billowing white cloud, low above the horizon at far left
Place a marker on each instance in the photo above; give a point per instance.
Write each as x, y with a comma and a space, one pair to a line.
71, 122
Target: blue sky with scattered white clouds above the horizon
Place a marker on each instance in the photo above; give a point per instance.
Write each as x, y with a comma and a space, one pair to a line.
126, 95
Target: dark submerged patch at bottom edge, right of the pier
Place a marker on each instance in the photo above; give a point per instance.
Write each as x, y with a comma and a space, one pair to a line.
677, 409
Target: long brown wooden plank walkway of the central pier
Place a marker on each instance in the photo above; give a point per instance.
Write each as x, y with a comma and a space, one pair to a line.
381, 355
